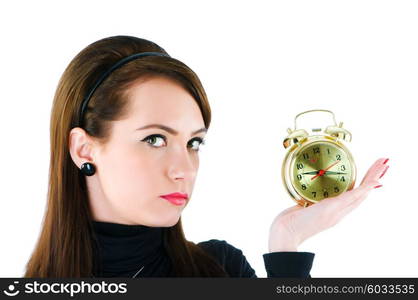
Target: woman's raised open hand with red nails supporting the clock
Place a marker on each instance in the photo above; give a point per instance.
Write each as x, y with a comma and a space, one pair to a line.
295, 224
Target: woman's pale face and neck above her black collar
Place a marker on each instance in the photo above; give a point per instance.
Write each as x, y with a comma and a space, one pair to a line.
137, 166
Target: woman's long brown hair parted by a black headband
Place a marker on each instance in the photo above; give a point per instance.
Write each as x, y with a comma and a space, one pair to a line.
65, 247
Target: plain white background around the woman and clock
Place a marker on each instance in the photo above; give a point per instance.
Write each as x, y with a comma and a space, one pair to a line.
261, 63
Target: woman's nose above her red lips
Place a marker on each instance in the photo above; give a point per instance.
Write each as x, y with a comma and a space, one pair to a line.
182, 165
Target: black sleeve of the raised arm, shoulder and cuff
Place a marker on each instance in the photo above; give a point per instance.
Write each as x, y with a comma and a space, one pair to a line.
277, 264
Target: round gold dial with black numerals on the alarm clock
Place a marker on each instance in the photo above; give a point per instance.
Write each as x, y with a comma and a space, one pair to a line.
321, 170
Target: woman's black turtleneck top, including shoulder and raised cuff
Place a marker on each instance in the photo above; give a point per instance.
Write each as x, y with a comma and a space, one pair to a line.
128, 250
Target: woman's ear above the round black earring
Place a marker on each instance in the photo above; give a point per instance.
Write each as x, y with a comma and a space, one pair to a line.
80, 145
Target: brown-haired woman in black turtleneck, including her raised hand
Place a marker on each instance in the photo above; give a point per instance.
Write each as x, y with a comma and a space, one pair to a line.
126, 125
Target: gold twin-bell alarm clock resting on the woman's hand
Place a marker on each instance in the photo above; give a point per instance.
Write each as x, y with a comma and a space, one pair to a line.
317, 166
